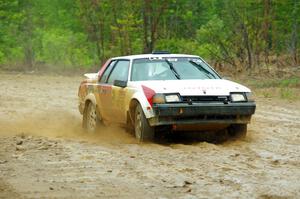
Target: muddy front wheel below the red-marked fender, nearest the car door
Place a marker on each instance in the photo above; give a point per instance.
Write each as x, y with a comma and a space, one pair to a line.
143, 131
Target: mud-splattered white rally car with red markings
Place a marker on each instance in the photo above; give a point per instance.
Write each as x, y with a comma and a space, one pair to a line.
153, 91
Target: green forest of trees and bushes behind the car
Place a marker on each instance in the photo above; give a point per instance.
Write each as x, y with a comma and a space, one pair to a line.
236, 35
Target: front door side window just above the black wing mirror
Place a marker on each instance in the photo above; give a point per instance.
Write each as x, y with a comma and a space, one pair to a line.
120, 72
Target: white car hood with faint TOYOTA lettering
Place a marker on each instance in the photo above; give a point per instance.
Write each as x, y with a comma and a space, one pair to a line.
195, 87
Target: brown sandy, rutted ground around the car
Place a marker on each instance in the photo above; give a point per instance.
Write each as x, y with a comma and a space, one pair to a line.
45, 154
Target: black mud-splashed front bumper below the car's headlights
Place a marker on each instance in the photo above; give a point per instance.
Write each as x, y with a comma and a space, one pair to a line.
202, 113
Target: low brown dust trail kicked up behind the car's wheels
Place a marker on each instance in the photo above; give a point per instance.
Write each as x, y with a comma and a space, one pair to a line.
63, 125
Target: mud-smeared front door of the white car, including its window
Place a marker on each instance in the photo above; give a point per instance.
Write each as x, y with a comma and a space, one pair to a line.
116, 109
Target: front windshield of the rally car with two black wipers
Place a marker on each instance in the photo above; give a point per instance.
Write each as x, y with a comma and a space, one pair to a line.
171, 69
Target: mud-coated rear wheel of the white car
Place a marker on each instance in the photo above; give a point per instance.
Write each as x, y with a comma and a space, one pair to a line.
91, 120
